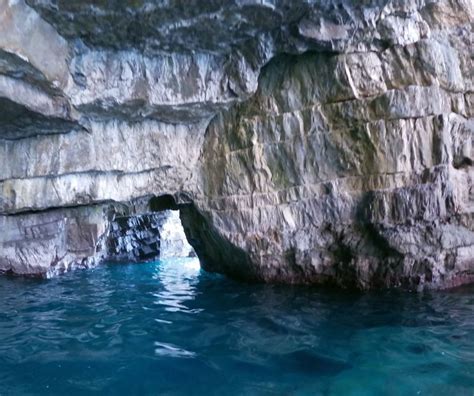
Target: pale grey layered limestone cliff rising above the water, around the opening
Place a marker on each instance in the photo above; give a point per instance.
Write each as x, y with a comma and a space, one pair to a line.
302, 141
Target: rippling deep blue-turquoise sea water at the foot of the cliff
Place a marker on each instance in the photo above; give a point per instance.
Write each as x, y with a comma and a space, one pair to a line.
168, 329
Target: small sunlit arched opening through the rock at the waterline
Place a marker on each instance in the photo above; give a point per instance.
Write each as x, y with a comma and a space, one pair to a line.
157, 233
